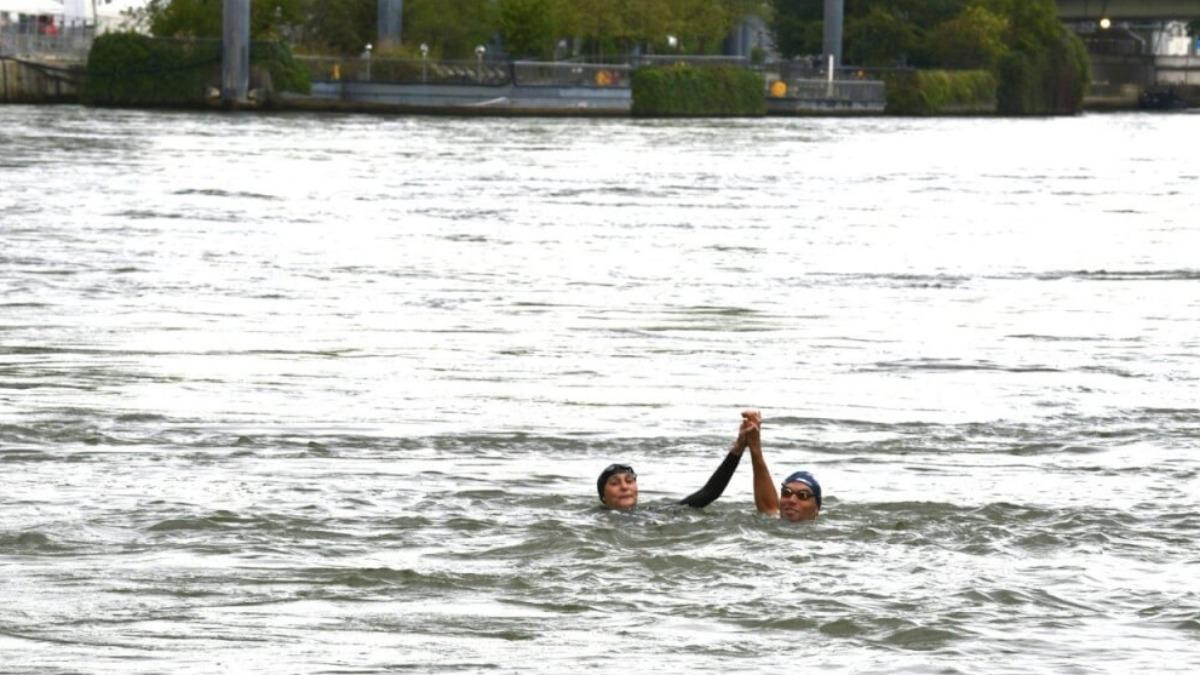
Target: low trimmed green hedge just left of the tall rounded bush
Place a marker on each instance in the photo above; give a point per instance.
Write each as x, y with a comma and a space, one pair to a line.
932, 93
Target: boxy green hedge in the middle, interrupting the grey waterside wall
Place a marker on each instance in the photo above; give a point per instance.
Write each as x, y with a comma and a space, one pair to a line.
687, 91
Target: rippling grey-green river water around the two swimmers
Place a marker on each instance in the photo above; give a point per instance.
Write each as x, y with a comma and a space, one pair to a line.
331, 393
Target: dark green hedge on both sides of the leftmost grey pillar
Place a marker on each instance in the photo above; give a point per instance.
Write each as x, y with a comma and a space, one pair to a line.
128, 69
